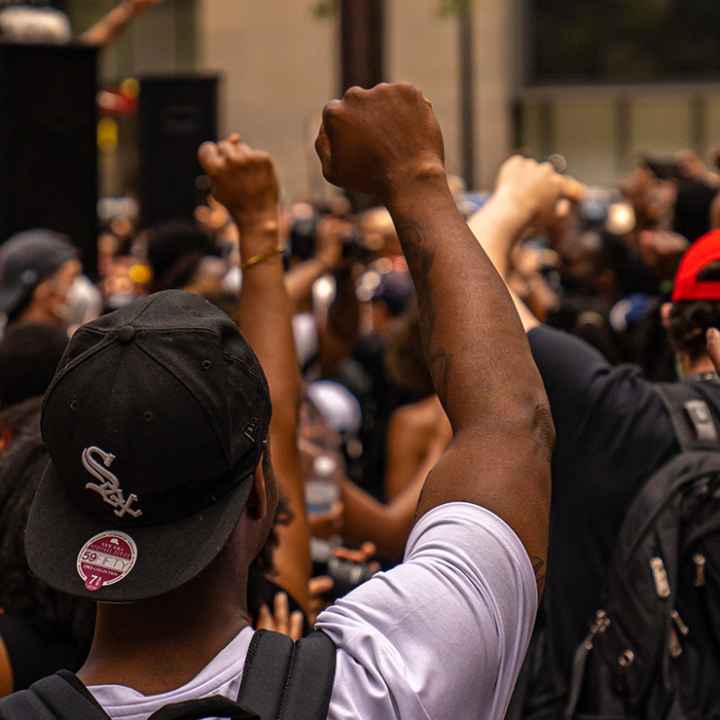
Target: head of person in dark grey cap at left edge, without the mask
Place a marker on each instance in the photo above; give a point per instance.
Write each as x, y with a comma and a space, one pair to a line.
38, 270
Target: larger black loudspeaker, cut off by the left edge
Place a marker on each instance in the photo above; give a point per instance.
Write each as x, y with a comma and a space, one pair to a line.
48, 146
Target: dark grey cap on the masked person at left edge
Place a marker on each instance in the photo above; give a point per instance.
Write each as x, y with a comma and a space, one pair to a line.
26, 260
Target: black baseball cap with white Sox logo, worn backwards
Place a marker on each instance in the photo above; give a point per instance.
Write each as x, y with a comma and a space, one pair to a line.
155, 422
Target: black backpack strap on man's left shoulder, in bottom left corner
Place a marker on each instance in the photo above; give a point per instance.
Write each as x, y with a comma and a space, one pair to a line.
53, 698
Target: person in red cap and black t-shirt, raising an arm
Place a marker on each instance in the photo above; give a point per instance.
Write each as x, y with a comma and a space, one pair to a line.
614, 432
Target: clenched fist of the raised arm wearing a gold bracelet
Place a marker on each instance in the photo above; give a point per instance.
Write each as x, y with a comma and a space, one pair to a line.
243, 179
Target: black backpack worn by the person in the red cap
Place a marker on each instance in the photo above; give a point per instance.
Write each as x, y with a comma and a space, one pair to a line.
653, 651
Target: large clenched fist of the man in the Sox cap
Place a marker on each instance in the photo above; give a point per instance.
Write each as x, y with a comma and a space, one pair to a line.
375, 141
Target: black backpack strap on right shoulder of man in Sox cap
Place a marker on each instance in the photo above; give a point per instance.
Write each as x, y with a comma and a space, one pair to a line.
286, 680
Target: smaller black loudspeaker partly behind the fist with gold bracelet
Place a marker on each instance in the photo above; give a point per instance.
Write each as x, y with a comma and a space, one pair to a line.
177, 115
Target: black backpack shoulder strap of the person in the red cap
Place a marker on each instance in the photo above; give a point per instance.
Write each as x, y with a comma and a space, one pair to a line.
691, 417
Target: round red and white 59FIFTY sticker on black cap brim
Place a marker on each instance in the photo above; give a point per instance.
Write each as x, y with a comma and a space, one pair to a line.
105, 559
